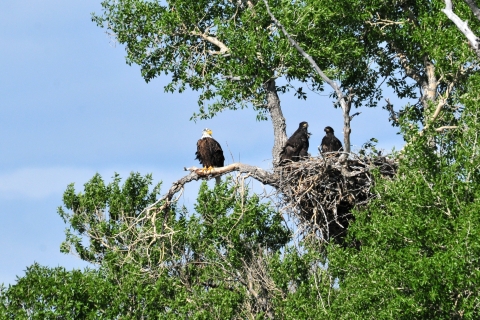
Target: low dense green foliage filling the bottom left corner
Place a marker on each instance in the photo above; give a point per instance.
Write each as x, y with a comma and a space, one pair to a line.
45, 293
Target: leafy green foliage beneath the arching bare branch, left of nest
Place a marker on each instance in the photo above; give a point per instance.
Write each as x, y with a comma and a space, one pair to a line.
199, 269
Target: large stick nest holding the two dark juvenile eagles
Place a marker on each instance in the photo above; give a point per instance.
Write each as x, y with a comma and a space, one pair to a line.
321, 192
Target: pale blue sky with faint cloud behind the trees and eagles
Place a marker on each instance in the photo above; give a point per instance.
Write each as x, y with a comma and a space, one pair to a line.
70, 107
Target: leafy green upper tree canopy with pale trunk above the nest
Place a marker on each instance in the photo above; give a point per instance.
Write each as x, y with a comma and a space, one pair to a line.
233, 52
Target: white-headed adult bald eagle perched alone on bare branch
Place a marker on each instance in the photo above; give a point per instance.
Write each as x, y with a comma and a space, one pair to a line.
209, 152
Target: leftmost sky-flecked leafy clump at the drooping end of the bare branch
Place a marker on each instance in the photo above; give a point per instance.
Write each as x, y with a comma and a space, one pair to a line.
102, 214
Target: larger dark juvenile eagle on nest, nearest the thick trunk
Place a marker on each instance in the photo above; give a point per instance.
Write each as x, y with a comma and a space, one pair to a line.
296, 146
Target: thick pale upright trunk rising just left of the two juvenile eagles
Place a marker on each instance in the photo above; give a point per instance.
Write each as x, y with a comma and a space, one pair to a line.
278, 121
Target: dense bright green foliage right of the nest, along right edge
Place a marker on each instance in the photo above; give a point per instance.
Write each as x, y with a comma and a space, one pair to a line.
420, 240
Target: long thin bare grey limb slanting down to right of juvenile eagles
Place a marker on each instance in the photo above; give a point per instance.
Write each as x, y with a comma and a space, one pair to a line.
343, 101
